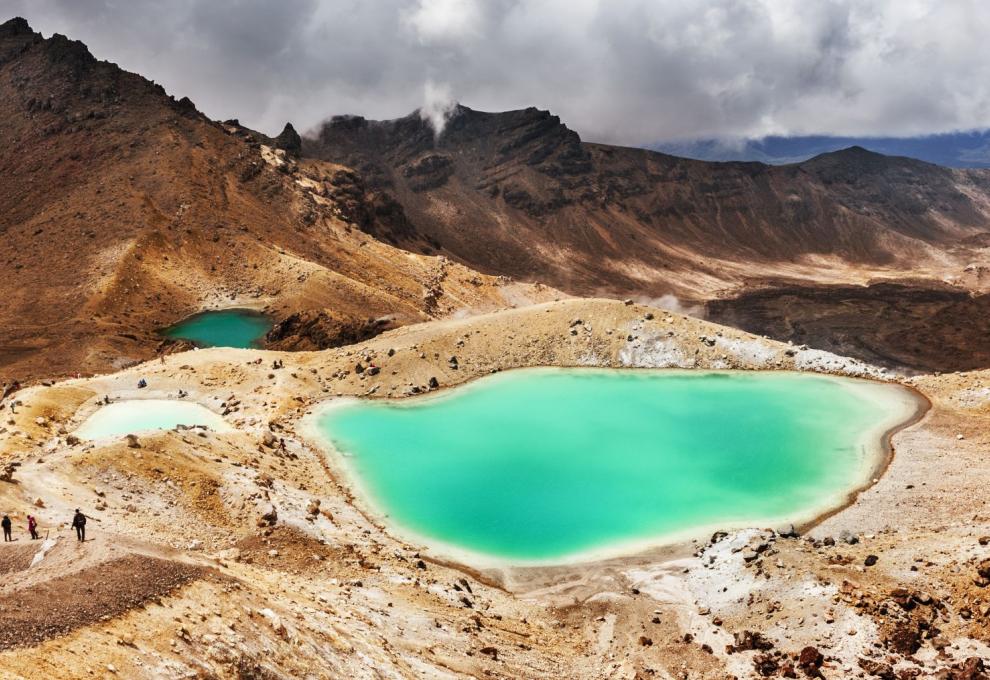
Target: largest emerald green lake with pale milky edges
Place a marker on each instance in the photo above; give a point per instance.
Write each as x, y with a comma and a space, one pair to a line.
548, 464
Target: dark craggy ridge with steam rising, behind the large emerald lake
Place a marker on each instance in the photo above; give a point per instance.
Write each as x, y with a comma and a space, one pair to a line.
519, 193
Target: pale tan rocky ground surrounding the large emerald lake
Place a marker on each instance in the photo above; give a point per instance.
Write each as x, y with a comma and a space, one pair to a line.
272, 569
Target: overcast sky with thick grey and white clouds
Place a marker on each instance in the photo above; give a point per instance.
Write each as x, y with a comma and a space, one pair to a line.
624, 71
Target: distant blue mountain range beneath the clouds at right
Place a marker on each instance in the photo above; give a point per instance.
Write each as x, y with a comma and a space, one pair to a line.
956, 150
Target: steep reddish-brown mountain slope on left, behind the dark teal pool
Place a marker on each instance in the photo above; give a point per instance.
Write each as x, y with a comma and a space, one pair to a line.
123, 210
